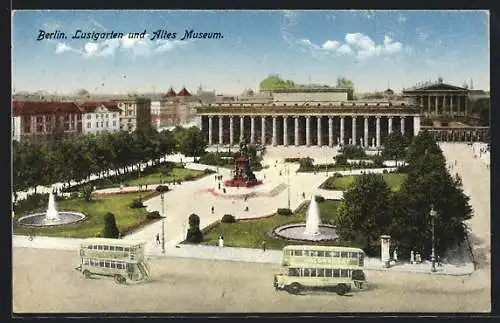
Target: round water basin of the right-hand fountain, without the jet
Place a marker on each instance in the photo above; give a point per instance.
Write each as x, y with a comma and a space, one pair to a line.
297, 232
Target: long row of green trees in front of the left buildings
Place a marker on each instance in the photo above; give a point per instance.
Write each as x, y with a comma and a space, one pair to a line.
67, 159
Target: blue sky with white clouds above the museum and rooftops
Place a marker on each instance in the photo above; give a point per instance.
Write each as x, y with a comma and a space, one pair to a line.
374, 49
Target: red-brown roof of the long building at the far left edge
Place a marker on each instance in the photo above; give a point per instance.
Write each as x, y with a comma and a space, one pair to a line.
20, 108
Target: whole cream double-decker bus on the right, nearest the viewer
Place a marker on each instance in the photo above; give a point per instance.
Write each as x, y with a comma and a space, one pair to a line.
336, 269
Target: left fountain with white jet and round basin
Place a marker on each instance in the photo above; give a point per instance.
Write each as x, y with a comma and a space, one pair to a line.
51, 217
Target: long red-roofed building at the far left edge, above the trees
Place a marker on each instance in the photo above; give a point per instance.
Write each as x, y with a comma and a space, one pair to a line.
43, 119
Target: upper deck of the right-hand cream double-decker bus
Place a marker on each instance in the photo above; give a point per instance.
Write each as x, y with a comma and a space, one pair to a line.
328, 255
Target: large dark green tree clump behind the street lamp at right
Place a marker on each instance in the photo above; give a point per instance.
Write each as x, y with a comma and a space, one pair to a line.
370, 209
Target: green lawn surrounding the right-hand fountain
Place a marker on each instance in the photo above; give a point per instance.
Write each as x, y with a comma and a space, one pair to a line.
251, 234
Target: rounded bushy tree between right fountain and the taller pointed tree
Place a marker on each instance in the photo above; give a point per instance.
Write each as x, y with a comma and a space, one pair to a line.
364, 215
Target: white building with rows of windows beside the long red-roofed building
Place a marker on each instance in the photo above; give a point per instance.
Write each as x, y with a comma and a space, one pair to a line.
100, 117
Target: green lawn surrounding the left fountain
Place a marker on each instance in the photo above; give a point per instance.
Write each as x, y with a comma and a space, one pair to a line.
94, 211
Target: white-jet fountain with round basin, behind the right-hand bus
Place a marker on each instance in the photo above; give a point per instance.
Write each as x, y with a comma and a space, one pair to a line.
311, 230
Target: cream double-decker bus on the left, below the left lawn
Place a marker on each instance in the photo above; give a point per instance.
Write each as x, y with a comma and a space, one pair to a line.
121, 259
